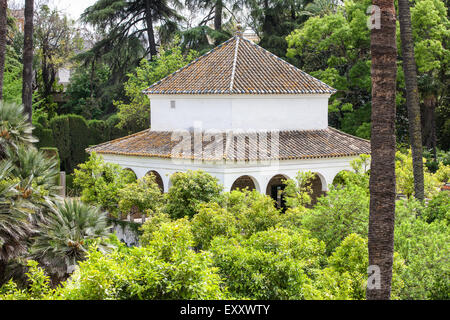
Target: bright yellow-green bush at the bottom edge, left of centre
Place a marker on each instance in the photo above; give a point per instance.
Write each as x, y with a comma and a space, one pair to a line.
138, 273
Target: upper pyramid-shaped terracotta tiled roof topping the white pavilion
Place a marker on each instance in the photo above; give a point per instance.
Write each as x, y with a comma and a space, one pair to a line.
239, 66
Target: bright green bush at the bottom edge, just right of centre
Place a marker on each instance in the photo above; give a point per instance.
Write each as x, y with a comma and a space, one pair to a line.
258, 273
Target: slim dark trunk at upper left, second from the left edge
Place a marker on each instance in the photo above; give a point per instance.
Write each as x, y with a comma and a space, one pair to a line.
27, 90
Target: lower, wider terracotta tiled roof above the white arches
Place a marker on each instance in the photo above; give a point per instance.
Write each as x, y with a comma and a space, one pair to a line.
326, 143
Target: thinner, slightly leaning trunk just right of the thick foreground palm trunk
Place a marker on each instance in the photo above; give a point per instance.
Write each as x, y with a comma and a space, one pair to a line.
412, 96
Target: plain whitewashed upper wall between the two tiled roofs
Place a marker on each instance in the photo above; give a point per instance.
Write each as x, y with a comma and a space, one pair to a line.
247, 112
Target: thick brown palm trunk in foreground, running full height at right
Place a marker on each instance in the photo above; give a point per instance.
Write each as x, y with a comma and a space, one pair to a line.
382, 178
